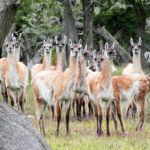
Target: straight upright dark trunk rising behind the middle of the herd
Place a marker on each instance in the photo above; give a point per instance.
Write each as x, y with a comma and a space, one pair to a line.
88, 24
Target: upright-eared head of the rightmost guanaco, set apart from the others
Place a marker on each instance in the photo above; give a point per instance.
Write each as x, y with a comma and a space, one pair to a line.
136, 47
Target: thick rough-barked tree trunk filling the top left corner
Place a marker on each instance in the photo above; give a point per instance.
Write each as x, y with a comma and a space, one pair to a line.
8, 10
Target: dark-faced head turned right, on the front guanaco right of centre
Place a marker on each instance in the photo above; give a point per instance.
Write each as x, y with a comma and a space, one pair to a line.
110, 52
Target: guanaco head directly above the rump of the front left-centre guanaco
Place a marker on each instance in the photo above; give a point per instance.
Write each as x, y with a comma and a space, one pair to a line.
47, 46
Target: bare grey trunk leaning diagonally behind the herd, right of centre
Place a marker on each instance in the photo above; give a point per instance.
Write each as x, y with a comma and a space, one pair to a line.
109, 38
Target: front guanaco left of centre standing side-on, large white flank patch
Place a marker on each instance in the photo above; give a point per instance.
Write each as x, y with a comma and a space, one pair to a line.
54, 86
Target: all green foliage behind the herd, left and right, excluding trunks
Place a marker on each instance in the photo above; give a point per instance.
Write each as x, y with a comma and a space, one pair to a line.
39, 19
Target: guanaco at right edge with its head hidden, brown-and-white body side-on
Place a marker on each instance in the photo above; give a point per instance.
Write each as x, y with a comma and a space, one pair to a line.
125, 88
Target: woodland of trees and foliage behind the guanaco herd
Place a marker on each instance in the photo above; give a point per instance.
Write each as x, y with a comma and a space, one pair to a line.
94, 21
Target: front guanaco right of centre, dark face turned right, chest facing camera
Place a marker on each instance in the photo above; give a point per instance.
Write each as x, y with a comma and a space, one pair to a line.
100, 88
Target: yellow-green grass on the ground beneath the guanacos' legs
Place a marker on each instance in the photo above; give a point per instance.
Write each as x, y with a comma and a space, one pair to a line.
83, 134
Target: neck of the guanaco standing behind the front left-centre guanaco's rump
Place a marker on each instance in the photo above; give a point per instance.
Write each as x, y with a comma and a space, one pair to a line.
47, 62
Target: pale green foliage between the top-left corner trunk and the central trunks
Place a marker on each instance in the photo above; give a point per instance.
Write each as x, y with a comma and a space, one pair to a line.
38, 20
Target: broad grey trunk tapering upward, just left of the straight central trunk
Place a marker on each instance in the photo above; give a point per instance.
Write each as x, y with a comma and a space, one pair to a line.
68, 27
